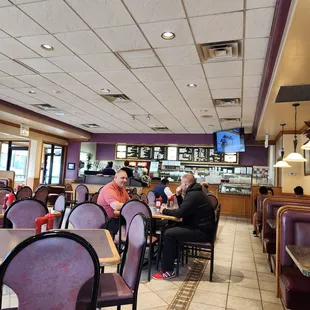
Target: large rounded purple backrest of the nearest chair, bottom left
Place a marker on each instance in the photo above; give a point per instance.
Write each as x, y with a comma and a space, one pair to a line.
47, 271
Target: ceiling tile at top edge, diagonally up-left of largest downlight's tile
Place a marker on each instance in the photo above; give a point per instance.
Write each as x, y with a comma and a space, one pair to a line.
102, 13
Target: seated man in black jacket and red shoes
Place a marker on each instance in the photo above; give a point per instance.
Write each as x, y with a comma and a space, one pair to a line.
197, 225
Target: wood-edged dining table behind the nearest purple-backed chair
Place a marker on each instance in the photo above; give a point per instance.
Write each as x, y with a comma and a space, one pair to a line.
100, 239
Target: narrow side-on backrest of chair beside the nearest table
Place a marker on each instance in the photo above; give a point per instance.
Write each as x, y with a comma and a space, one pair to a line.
132, 261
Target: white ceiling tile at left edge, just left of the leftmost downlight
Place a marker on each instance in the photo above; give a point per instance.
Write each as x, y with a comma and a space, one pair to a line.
14, 49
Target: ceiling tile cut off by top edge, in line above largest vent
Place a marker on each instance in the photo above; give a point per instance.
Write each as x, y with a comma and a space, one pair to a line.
208, 7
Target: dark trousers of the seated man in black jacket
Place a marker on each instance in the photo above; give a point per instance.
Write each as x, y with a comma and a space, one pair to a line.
172, 237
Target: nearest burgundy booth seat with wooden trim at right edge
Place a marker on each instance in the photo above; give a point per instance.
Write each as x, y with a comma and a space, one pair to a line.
294, 229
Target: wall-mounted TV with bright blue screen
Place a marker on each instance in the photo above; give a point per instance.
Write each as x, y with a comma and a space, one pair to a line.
229, 141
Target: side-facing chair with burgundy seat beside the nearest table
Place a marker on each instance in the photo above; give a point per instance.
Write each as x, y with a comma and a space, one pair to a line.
116, 289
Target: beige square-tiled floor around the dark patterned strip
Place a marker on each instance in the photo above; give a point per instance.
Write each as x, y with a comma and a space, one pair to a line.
241, 278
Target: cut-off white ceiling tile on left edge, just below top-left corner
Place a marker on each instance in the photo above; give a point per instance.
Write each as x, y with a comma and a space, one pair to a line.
16, 23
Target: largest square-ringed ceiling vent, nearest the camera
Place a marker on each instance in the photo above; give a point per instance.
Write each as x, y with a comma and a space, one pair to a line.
221, 51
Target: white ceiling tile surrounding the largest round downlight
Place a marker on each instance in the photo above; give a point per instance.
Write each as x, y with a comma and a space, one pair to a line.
179, 27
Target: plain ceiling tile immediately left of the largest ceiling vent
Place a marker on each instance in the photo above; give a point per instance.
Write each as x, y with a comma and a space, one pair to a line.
180, 55
